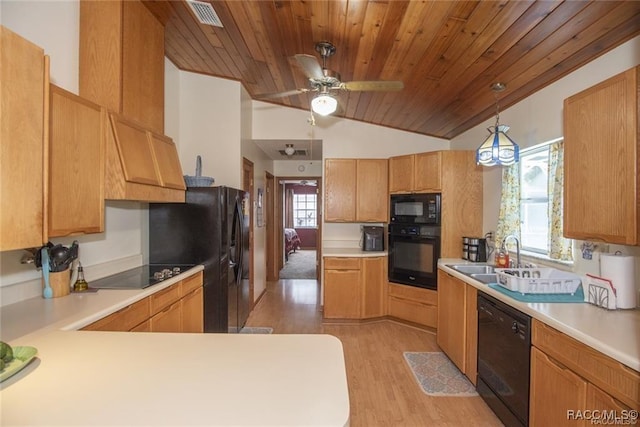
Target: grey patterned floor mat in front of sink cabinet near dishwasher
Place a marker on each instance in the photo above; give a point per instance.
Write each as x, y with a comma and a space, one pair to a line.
437, 375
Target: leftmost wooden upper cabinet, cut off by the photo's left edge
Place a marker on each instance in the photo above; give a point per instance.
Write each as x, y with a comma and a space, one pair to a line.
24, 74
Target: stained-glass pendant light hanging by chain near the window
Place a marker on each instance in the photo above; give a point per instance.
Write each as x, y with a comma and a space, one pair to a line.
498, 148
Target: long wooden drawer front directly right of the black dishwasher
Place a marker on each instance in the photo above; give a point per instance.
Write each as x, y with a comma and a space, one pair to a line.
613, 377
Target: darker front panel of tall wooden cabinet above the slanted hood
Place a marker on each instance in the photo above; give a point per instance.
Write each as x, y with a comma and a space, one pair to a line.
142, 66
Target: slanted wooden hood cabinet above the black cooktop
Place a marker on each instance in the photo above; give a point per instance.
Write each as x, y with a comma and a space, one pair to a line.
141, 165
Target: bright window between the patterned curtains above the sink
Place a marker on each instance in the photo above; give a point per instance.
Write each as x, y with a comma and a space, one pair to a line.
534, 200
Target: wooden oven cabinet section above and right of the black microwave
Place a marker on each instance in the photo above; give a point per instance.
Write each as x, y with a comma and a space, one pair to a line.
456, 176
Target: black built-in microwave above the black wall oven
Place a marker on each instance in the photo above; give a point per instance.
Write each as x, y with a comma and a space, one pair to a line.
415, 208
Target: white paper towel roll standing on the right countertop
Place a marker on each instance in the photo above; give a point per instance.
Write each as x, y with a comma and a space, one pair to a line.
620, 269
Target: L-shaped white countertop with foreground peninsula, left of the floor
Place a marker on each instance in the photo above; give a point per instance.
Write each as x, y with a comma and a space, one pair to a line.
92, 378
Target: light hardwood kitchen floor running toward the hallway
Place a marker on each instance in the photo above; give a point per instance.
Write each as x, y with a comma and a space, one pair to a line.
382, 389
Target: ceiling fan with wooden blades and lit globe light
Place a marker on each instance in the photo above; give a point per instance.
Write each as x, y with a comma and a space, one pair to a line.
324, 81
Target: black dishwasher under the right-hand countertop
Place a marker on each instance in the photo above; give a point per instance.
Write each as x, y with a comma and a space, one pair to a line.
504, 349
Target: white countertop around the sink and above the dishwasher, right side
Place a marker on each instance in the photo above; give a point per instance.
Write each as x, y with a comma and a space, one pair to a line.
615, 333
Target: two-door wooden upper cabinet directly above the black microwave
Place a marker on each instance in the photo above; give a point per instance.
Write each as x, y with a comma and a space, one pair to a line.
415, 173
